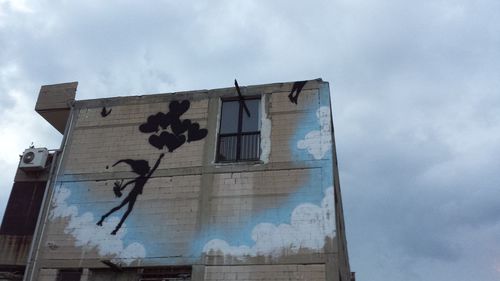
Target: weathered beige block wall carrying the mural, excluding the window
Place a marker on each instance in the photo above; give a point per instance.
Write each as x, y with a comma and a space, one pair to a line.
189, 209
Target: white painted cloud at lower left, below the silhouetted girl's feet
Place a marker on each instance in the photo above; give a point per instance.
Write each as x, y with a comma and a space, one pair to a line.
86, 233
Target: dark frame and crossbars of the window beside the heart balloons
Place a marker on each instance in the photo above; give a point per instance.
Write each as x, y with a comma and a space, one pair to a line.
239, 132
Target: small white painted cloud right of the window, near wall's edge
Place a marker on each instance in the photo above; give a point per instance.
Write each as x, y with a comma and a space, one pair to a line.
318, 143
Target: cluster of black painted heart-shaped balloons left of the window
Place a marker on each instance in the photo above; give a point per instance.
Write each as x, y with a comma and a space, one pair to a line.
175, 137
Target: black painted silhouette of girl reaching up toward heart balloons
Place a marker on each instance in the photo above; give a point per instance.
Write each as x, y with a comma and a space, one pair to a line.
140, 167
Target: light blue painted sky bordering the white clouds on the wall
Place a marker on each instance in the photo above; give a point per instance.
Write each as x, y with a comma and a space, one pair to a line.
310, 191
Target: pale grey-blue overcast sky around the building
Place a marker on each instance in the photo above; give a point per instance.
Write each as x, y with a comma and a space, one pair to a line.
416, 102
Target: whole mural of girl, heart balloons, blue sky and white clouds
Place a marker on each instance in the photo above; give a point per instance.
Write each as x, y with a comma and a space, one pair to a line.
301, 221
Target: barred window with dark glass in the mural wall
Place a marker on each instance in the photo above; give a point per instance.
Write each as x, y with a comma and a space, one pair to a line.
239, 132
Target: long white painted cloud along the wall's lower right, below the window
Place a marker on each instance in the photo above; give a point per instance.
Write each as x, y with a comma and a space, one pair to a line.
309, 226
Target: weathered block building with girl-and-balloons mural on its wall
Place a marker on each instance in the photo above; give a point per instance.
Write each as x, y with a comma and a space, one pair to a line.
238, 183
